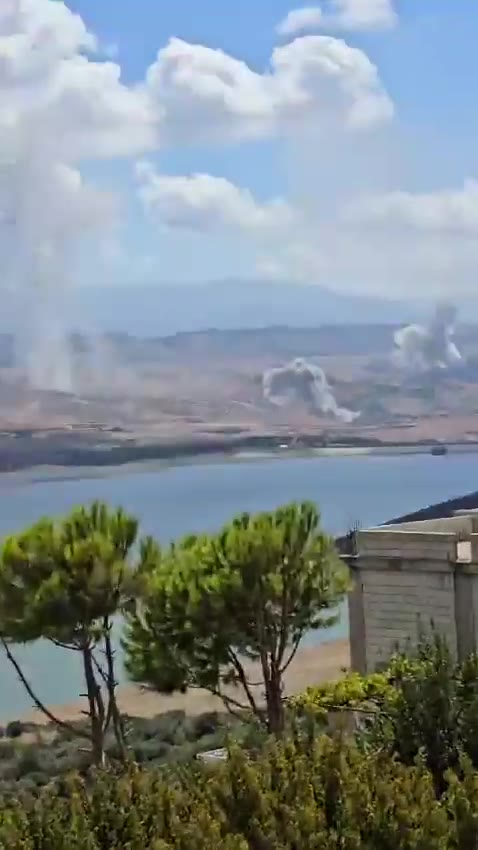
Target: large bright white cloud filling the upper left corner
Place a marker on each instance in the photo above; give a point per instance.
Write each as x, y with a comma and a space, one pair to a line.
50, 89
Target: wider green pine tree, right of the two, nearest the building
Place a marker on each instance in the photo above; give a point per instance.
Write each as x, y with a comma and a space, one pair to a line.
212, 604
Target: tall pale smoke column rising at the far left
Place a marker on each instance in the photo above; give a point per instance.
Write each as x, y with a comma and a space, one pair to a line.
46, 212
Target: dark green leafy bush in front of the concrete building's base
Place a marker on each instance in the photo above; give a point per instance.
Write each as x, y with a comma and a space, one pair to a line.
425, 703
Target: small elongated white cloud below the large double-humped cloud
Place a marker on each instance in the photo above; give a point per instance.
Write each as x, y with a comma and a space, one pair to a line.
204, 203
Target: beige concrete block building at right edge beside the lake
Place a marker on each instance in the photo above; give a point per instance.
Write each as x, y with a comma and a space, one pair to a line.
408, 576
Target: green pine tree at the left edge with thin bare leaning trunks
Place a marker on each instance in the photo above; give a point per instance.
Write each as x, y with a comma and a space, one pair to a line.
65, 581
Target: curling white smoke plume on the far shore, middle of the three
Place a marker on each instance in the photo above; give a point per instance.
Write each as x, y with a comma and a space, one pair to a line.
301, 381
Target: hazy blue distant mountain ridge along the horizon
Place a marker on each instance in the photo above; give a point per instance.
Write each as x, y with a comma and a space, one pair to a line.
163, 309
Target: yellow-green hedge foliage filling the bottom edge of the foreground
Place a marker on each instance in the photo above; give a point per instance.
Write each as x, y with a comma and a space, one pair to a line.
297, 795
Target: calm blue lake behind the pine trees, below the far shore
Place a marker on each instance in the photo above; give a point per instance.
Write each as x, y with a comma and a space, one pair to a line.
177, 500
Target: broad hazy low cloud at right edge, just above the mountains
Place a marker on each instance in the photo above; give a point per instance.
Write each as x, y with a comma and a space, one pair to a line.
373, 258
